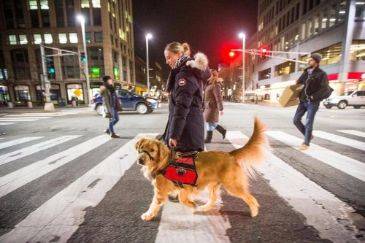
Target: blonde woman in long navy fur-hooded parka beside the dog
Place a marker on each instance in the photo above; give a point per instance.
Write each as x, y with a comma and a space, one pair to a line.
185, 127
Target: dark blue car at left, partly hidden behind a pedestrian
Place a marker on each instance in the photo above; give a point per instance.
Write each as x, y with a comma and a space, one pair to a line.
129, 102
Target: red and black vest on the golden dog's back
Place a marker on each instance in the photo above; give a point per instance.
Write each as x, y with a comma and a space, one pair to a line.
182, 171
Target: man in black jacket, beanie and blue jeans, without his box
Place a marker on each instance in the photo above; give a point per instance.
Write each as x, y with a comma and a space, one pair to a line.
315, 89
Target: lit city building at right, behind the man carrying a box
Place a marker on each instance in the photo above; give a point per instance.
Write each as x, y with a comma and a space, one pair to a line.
333, 28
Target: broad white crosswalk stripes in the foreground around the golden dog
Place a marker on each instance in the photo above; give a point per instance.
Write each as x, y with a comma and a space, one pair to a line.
61, 215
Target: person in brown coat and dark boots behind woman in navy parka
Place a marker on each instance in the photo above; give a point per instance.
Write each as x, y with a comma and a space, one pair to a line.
213, 106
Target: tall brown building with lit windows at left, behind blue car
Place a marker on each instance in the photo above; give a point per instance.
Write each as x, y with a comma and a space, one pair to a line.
26, 24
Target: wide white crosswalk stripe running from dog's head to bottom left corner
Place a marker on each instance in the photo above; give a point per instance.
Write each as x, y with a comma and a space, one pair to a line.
62, 214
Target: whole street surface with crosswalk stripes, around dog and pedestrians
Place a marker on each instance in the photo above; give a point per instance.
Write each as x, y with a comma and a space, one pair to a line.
62, 179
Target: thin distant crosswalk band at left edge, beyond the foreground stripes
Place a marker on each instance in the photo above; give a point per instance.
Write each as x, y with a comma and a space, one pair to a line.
7, 119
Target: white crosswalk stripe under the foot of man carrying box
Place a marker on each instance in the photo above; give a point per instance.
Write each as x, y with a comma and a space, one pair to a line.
343, 163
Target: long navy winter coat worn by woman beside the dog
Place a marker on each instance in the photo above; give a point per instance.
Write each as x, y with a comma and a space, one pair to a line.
186, 122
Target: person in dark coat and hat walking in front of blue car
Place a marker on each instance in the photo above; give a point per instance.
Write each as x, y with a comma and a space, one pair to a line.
111, 104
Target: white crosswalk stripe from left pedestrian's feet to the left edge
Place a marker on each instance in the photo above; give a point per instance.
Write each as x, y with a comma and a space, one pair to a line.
18, 178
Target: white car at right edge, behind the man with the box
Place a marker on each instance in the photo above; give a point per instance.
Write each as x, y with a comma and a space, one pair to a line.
355, 99
